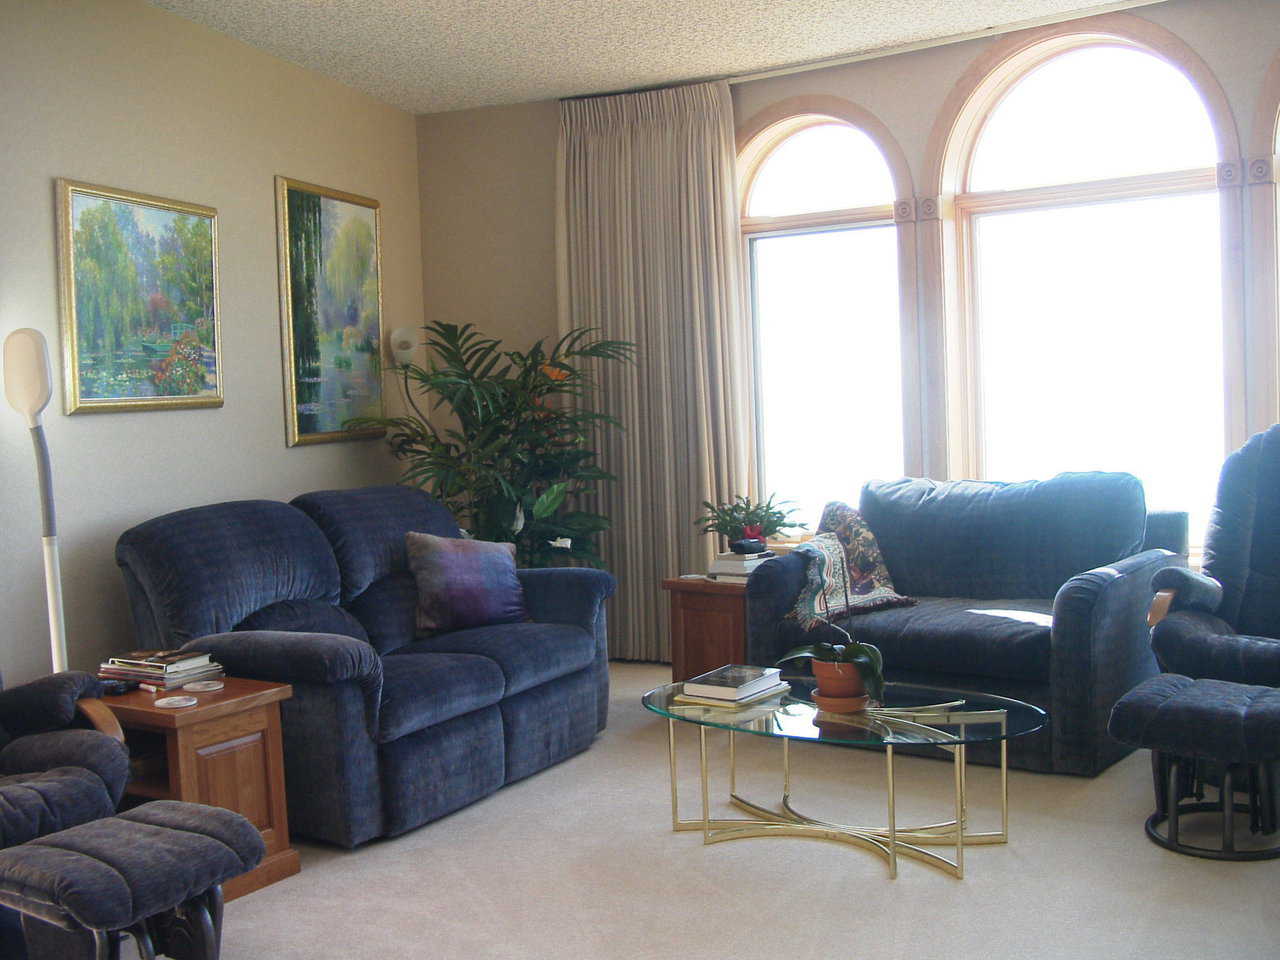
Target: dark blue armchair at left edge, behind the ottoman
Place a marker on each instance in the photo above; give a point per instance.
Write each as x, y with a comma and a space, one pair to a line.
53, 776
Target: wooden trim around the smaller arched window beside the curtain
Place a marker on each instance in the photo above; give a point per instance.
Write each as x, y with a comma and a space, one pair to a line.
757, 139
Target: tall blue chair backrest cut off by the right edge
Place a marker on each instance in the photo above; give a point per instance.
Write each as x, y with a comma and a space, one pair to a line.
1242, 547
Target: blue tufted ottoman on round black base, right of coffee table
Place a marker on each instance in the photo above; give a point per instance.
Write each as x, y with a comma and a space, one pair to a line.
1206, 733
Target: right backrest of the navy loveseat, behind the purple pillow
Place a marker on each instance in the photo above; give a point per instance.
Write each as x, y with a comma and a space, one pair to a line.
367, 531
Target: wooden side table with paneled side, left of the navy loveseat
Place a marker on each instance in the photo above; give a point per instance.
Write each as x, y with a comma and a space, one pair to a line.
225, 752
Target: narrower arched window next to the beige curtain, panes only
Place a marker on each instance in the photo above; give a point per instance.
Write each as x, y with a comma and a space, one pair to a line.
824, 254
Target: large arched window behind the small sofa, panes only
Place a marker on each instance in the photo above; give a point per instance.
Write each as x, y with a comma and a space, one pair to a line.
1091, 281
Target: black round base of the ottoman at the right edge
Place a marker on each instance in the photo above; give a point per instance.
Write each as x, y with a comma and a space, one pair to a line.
1181, 778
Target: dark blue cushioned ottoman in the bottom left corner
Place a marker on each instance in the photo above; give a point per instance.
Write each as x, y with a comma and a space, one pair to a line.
154, 872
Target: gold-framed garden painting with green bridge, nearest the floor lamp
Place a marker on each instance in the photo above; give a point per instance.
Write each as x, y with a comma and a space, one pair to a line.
139, 278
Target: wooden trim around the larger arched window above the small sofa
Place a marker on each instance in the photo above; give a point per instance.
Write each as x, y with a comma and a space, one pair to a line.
950, 348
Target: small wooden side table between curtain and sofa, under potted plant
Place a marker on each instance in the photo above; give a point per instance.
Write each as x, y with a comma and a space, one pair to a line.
708, 625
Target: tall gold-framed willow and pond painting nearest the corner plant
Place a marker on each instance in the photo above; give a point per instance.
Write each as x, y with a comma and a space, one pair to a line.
331, 307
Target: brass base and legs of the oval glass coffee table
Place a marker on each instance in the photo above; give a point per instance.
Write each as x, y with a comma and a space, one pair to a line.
890, 842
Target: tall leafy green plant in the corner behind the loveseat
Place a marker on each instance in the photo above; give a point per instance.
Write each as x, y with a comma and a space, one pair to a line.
511, 451
